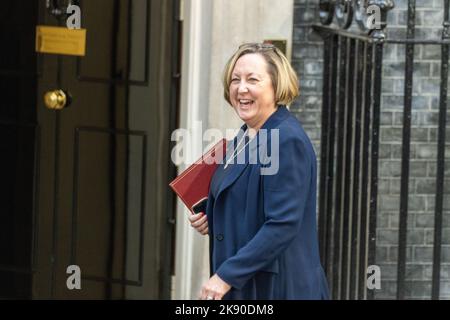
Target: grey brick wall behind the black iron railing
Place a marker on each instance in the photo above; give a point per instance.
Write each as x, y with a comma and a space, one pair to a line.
307, 58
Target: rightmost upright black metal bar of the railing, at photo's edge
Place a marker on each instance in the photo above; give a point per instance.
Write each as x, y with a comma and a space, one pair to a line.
435, 288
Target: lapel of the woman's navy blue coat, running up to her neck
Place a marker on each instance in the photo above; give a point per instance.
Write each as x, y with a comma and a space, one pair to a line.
235, 170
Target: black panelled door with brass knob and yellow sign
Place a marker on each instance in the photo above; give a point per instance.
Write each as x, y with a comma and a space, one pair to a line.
87, 185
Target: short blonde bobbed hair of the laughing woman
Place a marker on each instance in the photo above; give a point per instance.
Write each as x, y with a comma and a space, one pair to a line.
284, 79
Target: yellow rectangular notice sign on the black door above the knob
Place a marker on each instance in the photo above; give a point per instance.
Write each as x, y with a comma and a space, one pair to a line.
61, 40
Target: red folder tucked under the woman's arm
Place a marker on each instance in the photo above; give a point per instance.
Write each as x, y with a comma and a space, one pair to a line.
192, 185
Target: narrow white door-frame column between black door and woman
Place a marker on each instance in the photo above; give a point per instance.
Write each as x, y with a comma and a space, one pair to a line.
191, 248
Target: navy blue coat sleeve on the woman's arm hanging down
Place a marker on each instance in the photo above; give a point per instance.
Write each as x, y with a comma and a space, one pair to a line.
284, 197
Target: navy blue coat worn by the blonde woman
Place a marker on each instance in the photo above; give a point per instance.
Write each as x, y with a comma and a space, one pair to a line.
262, 228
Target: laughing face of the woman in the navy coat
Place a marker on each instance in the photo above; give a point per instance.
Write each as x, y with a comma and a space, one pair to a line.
252, 93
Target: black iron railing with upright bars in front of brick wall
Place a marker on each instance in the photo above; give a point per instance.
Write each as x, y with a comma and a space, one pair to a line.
350, 142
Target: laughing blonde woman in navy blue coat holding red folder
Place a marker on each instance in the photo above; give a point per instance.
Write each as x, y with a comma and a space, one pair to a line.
262, 227
